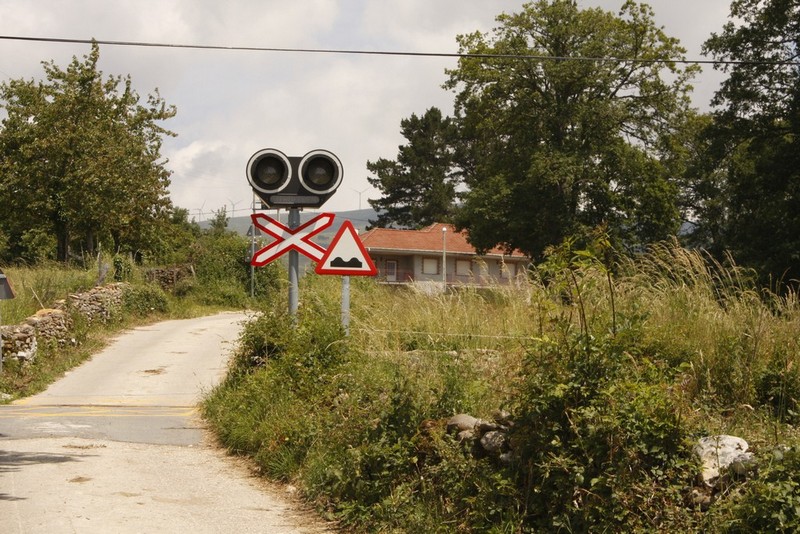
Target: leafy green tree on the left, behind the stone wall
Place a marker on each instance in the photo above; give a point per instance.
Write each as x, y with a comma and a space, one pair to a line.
80, 159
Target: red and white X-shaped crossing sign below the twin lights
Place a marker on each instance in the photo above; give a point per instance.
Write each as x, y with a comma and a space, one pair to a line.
287, 239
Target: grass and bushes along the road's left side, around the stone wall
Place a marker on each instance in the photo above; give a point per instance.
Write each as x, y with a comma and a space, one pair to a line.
221, 282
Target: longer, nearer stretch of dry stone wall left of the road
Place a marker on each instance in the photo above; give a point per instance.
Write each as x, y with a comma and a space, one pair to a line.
55, 324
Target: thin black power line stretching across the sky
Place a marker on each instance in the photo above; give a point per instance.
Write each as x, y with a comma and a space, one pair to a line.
533, 57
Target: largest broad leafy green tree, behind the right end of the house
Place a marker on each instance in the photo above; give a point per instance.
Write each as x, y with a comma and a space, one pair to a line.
564, 113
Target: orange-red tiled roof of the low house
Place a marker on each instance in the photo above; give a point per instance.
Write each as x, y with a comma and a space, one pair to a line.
426, 240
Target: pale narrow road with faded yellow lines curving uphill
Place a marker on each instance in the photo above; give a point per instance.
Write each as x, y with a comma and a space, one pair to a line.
116, 446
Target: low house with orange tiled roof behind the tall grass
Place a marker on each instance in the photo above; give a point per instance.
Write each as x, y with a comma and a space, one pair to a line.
403, 256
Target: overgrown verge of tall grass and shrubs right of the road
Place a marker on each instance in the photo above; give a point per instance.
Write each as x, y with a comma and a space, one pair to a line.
610, 372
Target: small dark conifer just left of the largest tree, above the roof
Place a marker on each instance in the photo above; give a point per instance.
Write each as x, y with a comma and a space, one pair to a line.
419, 188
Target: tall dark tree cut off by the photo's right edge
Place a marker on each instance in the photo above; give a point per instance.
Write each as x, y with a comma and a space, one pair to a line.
757, 135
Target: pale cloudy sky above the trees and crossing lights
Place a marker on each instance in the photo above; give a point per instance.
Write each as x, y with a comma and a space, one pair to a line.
230, 104
